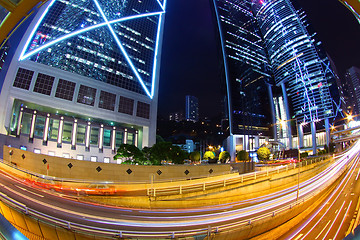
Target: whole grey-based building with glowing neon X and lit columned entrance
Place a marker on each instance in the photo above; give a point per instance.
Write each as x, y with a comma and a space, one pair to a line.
84, 79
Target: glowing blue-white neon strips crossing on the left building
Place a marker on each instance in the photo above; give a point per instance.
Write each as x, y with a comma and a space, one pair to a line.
107, 23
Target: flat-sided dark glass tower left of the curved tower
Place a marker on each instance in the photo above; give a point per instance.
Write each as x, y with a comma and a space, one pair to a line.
247, 75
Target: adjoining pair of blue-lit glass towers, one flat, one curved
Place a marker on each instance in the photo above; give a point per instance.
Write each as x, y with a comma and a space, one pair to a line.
274, 71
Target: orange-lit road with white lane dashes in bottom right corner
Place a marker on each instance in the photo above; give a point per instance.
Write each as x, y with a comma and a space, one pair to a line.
337, 215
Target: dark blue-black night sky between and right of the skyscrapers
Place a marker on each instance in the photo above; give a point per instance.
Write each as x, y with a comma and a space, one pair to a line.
190, 58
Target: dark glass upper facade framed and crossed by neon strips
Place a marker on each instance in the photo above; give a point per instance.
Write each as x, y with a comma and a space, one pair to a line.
115, 21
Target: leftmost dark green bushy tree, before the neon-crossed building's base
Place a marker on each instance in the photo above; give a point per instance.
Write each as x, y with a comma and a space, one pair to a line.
127, 152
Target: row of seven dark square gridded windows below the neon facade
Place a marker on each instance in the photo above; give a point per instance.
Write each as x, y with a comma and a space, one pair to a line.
86, 95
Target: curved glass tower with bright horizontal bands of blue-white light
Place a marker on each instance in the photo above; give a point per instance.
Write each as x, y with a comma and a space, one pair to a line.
295, 62
